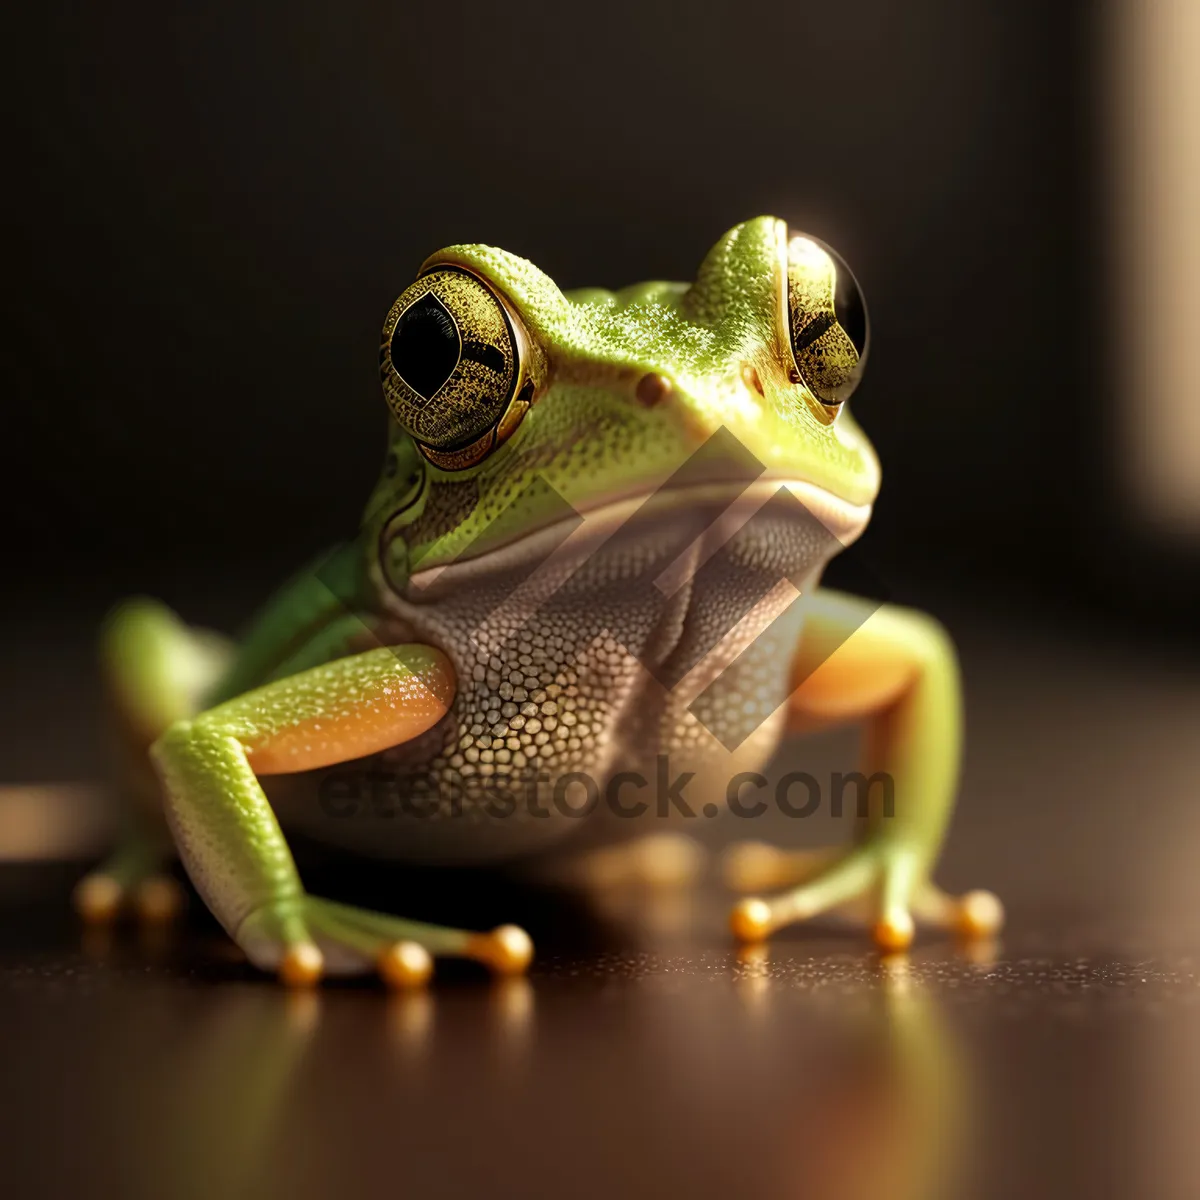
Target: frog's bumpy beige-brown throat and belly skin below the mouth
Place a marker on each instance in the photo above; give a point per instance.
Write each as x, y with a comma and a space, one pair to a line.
583, 675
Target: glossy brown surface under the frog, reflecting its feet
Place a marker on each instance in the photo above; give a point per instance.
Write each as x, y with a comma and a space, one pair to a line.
643, 1058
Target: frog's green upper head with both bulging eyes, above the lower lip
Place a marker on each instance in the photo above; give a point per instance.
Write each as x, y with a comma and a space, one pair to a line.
512, 400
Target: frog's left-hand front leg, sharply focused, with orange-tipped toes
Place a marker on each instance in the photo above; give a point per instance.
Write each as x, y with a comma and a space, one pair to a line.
231, 841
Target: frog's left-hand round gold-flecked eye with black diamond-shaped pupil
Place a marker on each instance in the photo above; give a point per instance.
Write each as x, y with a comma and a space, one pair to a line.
454, 369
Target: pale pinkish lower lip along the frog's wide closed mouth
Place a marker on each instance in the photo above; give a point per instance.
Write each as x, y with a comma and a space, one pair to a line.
707, 515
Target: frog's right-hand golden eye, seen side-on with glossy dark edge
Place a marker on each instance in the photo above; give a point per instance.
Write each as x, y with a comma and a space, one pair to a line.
826, 321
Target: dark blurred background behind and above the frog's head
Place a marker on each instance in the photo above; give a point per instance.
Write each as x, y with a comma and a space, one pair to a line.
212, 212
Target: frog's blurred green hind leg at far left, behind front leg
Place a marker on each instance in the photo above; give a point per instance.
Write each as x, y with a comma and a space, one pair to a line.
157, 670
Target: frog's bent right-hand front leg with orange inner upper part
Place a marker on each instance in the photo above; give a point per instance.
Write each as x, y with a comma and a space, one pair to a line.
897, 670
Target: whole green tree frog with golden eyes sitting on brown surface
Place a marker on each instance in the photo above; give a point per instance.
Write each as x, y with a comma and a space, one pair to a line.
596, 550
